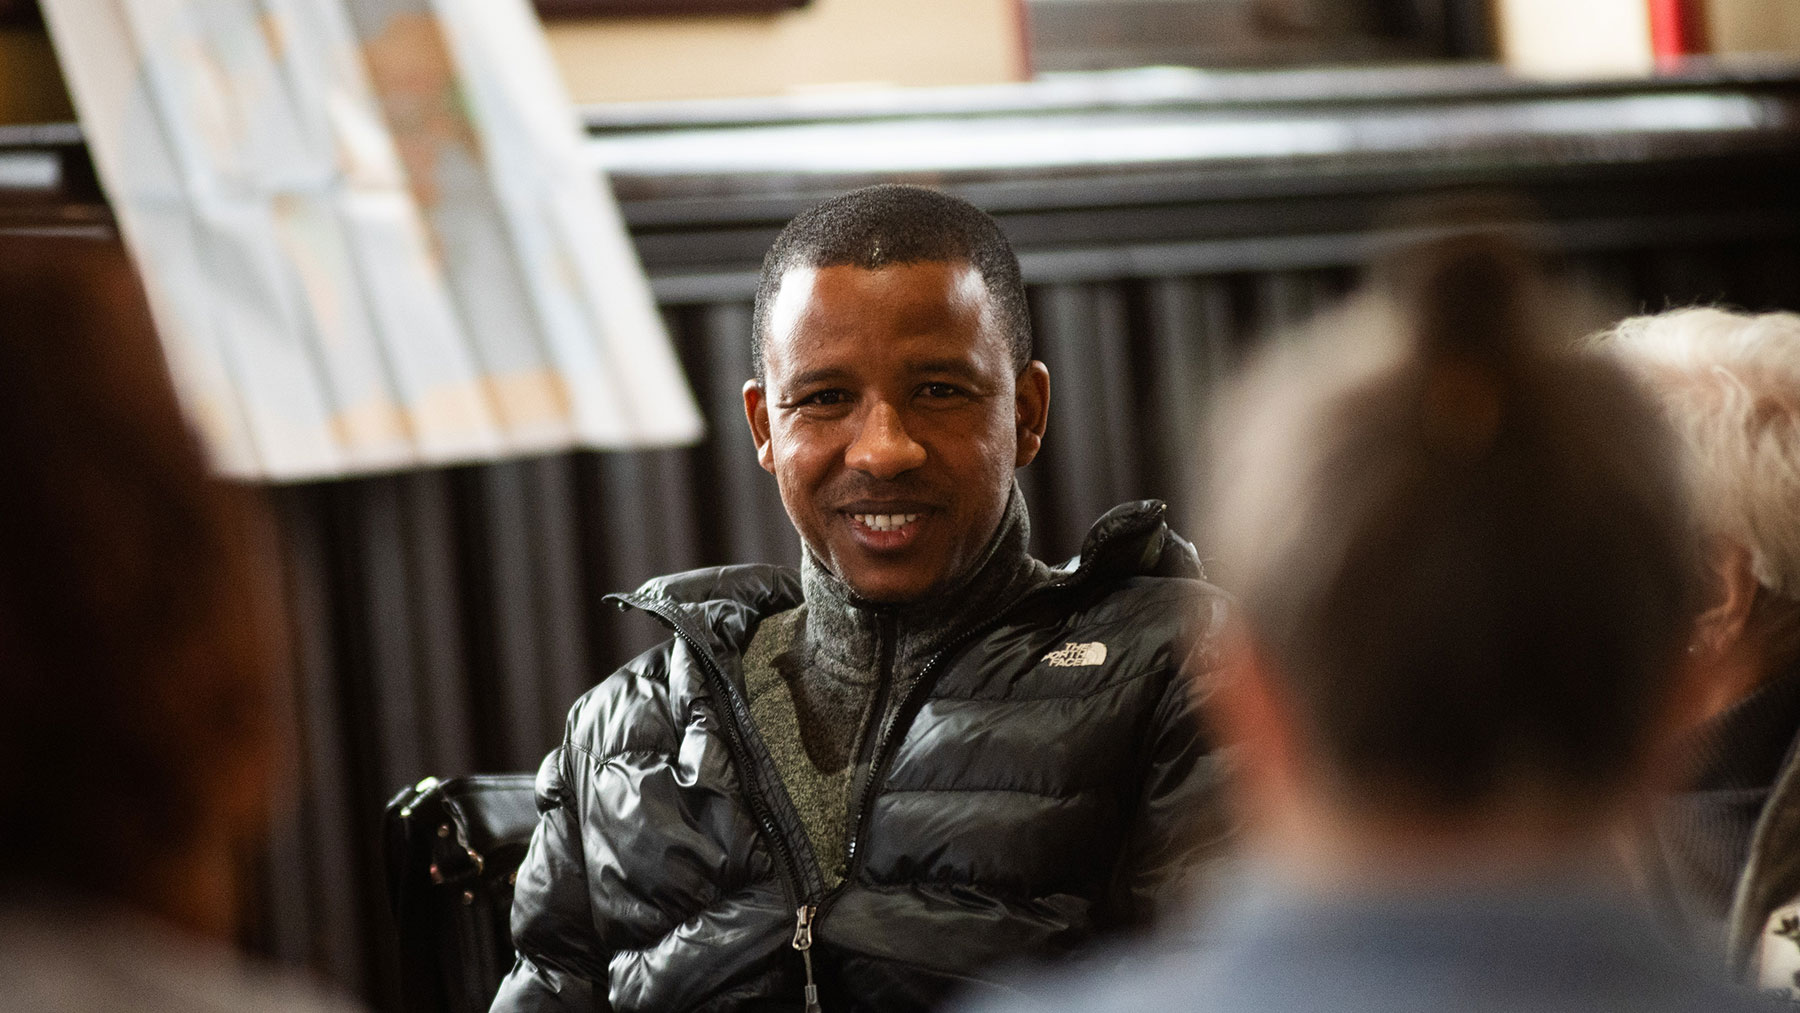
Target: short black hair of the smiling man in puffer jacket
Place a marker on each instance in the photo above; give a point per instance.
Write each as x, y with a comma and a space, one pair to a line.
895, 224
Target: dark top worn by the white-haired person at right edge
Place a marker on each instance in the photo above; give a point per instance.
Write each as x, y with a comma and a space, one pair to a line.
1732, 766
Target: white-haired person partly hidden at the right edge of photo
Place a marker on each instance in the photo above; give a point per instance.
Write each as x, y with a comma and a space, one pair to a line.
1727, 847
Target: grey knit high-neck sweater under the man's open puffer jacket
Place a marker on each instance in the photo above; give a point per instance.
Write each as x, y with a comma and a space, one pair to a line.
825, 677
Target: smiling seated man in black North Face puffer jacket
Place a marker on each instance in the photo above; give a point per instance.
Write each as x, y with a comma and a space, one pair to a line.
865, 784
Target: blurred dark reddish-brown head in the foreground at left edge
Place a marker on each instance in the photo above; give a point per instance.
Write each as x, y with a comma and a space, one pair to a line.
136, 629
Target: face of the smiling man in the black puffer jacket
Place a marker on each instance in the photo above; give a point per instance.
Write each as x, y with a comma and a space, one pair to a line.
892, 420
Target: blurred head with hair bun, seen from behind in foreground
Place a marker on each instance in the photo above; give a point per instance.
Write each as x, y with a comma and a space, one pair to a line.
1464, 575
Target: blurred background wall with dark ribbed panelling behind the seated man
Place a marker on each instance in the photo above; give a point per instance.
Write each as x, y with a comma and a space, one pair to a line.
1167, 220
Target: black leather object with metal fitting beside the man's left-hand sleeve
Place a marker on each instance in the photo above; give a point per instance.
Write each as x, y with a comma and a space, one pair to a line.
453, 854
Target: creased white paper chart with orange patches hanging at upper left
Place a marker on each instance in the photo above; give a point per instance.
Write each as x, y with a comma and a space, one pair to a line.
370, 233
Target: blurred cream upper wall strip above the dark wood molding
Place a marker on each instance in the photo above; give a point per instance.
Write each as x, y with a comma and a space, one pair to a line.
636, 49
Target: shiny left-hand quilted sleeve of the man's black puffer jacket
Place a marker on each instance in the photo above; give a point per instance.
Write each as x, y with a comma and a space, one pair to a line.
561, 965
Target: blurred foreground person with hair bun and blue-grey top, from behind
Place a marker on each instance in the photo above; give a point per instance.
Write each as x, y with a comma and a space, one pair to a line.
1466, 587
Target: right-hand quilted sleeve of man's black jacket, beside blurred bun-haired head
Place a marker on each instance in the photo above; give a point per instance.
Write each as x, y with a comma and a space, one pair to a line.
1182, 827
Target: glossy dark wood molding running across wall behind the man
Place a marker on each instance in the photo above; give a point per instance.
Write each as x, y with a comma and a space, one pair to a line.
1603, 181
